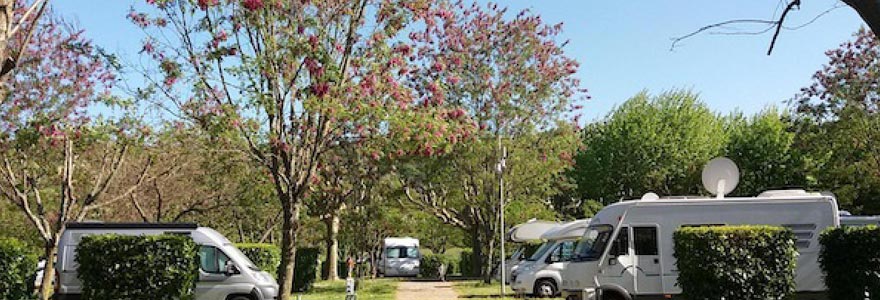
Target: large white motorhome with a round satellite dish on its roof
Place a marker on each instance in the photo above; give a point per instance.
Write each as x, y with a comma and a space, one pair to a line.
627, 251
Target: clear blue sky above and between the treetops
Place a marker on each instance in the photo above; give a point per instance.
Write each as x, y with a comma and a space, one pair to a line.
624, 46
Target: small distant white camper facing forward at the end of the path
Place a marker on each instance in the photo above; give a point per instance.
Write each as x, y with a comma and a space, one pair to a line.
400, 257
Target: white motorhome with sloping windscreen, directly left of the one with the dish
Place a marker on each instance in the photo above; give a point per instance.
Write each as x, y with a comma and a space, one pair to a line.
541, 274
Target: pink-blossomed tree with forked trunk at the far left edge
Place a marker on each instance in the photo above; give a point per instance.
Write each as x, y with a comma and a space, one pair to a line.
58, 164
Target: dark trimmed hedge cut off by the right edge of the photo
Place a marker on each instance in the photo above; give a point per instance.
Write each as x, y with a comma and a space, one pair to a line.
850, 258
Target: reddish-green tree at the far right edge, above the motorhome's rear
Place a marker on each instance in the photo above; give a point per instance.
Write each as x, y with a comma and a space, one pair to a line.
838, 124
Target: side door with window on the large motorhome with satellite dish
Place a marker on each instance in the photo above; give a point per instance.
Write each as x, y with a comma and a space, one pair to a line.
647, 259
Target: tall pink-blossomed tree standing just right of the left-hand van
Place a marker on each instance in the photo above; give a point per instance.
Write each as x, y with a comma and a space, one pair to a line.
294, 79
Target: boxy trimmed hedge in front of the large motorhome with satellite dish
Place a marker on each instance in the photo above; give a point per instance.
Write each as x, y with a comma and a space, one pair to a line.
735, 262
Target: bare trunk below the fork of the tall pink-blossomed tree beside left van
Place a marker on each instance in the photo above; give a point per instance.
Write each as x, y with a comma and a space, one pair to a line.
288, 248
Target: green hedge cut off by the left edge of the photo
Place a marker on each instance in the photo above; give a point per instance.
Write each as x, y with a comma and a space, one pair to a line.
19, 266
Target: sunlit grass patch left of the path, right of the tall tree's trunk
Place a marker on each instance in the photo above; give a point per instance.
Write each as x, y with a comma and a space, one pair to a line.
370, 289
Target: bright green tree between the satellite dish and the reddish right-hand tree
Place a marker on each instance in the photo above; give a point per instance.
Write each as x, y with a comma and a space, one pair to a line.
763, 148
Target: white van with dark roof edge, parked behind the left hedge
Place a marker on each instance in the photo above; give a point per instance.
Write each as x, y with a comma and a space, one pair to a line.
224, 272
